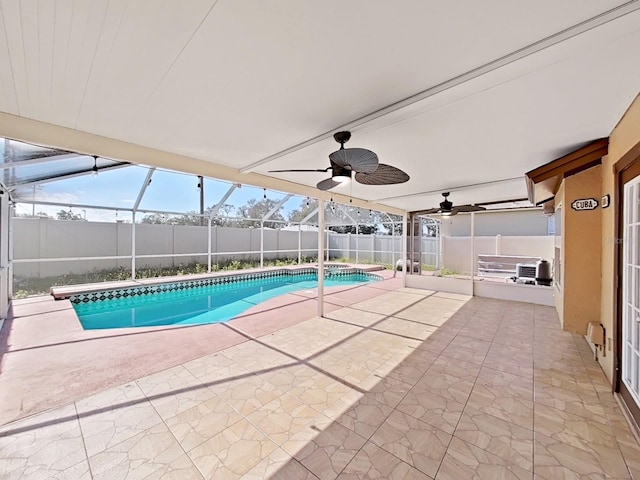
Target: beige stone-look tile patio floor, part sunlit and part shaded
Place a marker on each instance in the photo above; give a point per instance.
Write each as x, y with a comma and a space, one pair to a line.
401, 386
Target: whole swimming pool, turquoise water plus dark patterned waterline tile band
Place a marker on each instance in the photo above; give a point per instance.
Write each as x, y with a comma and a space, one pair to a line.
212, 300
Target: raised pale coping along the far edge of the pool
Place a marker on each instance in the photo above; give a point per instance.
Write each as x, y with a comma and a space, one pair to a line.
68, 291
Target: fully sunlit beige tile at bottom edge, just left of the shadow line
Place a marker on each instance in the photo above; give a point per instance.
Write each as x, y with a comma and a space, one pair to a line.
233, 452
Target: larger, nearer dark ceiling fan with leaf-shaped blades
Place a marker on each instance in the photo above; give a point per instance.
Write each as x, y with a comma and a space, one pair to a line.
362, 162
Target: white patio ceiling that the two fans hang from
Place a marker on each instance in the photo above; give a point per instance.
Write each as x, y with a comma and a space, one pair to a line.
503, 86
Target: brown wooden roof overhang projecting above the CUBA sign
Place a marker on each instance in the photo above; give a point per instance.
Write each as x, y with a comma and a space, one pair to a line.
544, 181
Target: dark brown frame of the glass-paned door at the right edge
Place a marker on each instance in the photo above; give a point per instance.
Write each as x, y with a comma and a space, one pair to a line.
626, 169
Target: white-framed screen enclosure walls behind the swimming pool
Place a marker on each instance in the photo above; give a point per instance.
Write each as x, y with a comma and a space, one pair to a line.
70, 218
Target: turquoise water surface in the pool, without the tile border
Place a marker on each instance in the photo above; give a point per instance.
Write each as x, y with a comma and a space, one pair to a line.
201, 304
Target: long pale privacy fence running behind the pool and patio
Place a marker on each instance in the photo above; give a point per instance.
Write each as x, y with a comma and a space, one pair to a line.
46, 247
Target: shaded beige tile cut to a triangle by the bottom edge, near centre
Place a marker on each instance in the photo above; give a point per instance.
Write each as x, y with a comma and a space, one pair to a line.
374, 463
